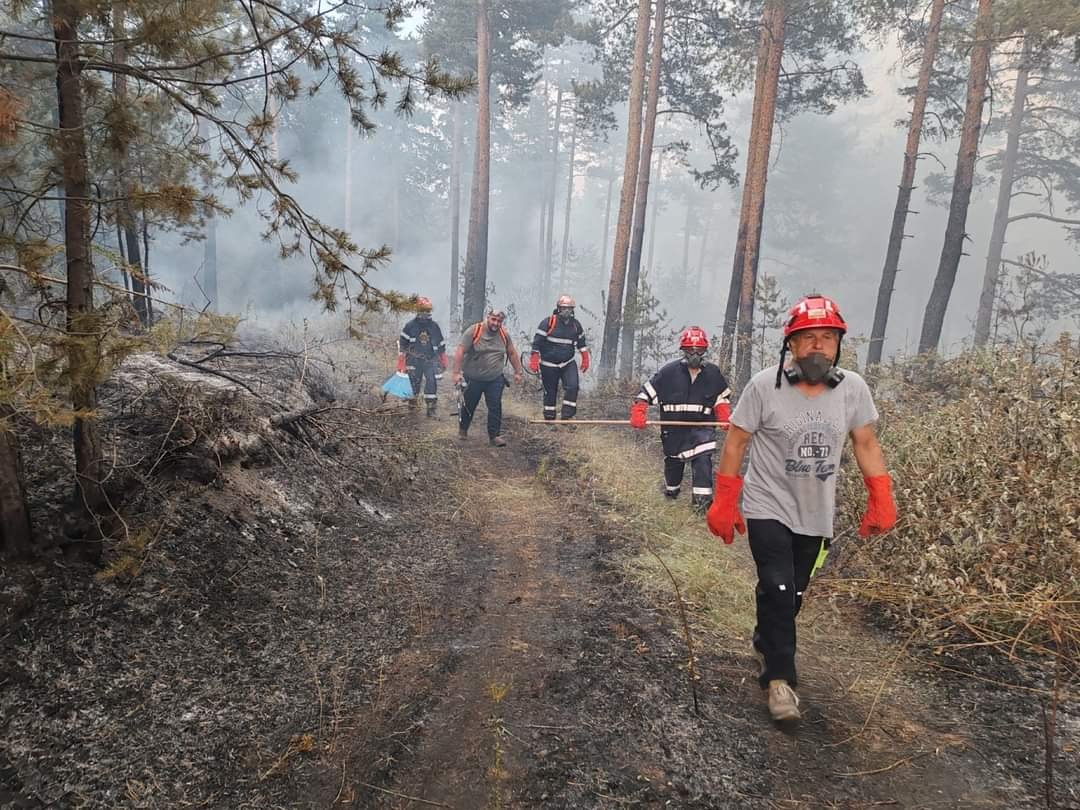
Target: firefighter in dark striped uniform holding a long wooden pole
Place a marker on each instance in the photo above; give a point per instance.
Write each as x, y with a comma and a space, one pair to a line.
692, 390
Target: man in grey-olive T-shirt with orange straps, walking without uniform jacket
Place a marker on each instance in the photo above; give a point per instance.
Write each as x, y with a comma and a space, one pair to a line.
480, 359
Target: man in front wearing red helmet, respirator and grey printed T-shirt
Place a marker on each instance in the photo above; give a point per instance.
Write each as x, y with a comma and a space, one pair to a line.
795, 417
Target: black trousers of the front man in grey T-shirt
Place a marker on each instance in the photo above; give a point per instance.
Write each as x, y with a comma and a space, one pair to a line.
786, 562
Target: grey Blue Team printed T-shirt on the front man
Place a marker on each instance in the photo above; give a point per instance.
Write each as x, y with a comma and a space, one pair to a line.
796, 447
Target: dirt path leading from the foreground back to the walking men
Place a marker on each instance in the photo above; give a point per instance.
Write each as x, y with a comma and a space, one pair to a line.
547, 680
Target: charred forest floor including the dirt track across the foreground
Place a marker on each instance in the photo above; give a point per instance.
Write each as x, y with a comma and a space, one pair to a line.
376, 616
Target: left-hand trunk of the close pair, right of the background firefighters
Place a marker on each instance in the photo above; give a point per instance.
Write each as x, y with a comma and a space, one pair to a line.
613, 320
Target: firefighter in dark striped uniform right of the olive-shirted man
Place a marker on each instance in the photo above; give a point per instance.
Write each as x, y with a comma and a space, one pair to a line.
557, 342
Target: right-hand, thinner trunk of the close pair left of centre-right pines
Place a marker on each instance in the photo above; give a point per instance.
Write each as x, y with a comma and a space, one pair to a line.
630, 314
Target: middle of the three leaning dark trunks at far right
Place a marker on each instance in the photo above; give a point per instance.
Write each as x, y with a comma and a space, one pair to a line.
953, 249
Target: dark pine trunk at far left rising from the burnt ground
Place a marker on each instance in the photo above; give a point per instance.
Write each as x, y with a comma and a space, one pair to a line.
83, 322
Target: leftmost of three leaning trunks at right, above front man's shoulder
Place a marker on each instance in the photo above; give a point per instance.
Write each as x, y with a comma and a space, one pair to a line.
907, 186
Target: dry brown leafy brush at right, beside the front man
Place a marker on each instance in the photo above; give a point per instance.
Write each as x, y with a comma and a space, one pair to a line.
985, 453
